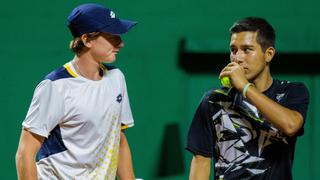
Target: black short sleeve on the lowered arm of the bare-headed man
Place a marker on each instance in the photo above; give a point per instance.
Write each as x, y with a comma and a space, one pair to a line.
201, 136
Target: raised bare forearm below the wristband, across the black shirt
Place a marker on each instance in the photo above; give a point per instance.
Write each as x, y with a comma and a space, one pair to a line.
286, 120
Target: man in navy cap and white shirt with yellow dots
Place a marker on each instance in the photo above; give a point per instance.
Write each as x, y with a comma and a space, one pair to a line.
75, 124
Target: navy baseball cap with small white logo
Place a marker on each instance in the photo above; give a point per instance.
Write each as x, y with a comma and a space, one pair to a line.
88, 18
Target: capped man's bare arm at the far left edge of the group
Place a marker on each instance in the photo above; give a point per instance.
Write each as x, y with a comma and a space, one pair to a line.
25, 157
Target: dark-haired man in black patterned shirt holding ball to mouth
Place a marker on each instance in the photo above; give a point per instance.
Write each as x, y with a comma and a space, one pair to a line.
250, 130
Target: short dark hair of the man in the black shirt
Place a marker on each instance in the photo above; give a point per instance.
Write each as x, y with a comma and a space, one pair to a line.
265, 33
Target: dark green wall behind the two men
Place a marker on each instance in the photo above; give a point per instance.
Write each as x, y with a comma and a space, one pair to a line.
34, 41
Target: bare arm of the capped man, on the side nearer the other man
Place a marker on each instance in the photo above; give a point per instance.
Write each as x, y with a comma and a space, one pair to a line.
125, 168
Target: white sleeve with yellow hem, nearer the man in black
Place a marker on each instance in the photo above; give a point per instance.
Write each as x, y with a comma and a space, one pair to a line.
125, 112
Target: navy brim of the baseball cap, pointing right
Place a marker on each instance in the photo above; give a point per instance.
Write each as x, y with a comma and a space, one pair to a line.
119, 27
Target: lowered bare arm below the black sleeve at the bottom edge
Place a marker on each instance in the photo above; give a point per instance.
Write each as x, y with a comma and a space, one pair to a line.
200, 168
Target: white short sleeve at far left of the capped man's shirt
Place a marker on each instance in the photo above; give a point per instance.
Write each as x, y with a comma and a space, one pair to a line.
46, 109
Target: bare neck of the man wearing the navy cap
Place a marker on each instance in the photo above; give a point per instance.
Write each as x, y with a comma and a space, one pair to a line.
87, 67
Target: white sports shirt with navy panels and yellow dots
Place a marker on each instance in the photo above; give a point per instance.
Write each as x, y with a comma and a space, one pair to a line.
81, 120
